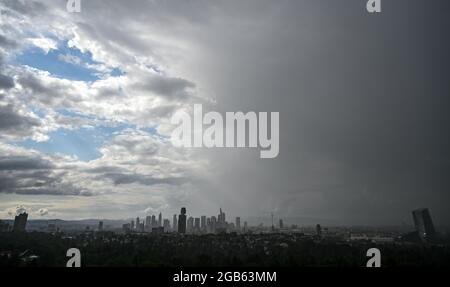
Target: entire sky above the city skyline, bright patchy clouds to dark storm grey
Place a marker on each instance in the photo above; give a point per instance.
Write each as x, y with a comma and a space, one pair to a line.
86, 101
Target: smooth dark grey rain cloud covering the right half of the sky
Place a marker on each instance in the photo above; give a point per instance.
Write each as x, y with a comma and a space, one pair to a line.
363, 102
